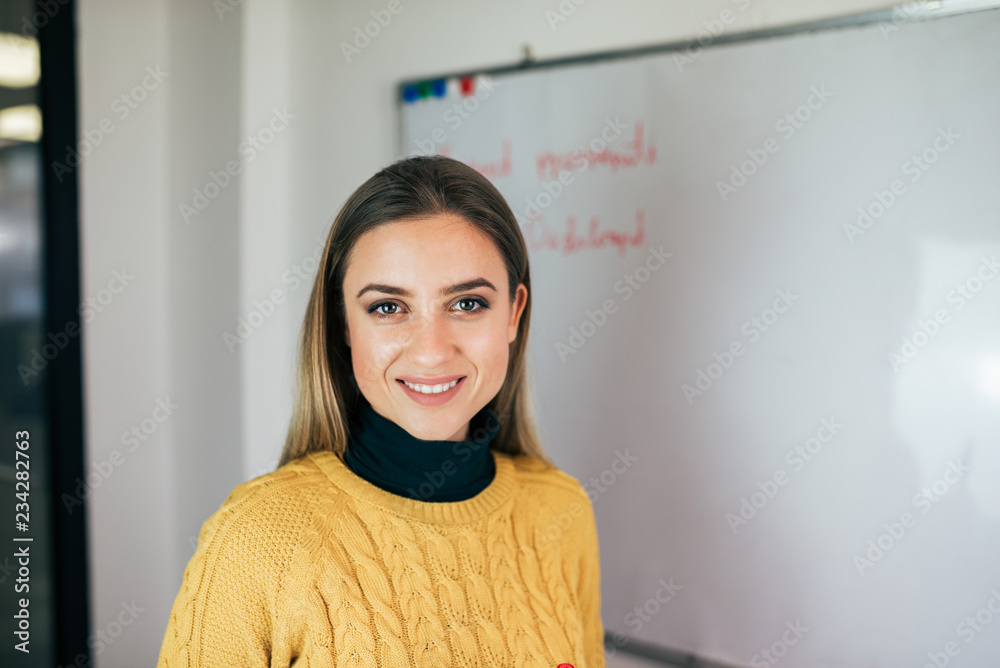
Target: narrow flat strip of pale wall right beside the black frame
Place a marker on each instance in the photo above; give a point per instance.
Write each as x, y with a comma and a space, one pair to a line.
124, 219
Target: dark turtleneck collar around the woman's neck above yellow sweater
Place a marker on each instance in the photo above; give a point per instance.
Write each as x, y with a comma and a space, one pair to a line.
389, 457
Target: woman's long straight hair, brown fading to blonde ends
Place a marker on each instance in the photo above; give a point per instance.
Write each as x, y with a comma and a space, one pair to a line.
326, 391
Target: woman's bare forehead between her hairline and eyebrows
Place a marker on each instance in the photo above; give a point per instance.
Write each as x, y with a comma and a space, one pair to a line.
421, 249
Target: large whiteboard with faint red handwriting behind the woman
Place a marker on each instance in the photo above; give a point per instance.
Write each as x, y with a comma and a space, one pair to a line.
789, 421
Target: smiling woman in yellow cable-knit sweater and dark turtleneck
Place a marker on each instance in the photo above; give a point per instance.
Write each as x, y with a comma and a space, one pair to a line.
414, 519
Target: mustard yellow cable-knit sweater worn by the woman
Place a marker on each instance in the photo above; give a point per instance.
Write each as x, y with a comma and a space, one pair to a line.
311, 565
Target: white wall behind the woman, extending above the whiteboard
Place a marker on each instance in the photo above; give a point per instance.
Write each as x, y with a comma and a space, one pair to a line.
163, 335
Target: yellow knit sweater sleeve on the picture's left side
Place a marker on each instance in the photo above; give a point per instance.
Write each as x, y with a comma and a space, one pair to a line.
222, 614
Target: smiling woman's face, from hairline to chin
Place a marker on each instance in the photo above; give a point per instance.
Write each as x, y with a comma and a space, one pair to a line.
427, 302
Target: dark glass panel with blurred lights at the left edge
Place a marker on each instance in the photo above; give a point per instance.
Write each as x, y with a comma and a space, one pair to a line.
24, 472
